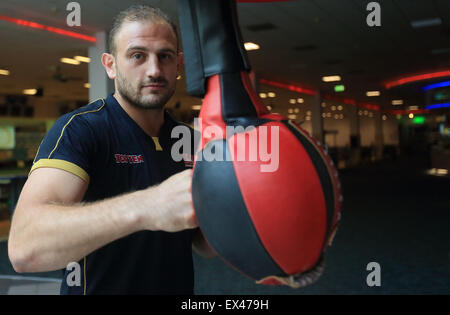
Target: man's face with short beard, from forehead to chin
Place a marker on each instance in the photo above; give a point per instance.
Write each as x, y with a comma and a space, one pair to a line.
146, 63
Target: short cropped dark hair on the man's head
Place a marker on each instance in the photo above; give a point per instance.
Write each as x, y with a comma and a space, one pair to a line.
137, 13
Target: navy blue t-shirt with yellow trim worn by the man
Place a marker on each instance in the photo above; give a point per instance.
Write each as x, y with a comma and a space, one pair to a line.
104, 146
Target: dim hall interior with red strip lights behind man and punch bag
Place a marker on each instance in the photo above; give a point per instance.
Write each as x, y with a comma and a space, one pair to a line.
368, 79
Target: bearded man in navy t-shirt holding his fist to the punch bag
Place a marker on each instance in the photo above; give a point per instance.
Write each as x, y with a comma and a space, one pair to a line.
92, 195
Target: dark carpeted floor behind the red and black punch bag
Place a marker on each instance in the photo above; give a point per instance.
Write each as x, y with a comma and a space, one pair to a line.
393, 214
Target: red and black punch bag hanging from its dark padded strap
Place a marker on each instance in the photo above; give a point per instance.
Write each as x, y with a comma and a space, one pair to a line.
271, 219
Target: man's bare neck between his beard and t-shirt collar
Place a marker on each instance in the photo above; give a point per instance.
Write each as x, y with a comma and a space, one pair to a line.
150, 120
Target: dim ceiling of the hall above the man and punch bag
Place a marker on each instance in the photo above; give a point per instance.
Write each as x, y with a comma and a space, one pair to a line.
303, 41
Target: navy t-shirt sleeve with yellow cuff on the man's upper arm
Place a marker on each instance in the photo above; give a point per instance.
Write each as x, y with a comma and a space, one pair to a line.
69, 145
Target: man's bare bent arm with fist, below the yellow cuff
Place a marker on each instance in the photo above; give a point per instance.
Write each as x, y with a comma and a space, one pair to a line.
50, 228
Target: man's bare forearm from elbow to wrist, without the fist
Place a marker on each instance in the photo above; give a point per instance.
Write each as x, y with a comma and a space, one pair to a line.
50, 236
